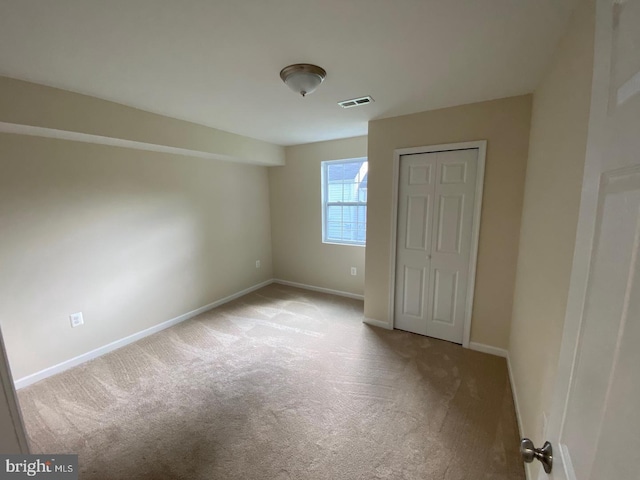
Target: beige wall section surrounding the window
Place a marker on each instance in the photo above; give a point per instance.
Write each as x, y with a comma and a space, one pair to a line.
296, 220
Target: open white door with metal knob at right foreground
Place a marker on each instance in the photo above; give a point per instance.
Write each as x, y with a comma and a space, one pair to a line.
594, 425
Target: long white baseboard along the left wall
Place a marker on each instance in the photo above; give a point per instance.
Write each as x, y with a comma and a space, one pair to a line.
85, 357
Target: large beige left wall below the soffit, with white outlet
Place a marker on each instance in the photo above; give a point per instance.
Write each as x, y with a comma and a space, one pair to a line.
129, 238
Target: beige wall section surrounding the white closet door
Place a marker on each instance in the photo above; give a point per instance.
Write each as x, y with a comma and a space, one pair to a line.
504, 124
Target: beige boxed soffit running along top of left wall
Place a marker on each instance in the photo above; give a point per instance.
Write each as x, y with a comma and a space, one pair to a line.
30, 104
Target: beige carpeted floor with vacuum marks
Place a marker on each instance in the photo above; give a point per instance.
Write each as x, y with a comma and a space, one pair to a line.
281, 384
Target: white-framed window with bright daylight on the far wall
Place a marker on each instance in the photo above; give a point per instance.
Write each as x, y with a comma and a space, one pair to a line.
344, 201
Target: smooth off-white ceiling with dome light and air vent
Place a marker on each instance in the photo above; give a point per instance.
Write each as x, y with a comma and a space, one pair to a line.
216, 62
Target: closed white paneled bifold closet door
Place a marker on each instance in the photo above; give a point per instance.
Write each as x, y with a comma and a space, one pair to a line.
434, 238
